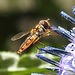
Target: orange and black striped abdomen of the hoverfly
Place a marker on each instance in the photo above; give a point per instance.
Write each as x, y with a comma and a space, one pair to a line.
27, 43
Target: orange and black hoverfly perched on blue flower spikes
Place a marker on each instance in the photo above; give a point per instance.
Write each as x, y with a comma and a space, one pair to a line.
41, 29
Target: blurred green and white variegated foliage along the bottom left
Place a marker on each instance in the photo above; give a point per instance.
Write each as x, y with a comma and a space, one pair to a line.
25, 65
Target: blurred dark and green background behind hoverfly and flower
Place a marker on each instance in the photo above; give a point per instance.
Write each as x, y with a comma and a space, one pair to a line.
22, 15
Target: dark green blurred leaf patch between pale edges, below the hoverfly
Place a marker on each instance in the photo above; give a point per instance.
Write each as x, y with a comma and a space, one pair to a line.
28, 62
